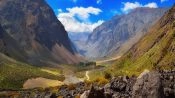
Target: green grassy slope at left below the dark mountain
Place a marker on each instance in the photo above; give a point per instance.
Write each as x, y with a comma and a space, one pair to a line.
13, 74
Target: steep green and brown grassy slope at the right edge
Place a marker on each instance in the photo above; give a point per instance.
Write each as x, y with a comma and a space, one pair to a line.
155, 50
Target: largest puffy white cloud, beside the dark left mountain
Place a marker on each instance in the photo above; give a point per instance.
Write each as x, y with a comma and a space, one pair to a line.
82, 24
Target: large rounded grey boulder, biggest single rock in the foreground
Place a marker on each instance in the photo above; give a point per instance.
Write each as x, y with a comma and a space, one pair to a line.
148, 86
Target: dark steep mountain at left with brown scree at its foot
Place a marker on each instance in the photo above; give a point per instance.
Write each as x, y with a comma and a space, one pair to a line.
33, 34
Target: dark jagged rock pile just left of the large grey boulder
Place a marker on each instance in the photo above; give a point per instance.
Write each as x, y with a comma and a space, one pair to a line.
120, 87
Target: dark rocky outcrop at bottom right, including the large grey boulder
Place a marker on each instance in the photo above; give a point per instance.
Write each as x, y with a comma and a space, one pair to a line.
147, 85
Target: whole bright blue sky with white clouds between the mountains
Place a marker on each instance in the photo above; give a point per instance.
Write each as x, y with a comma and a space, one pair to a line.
82, 16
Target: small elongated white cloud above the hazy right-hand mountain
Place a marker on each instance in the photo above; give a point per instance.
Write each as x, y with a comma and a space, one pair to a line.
129, 5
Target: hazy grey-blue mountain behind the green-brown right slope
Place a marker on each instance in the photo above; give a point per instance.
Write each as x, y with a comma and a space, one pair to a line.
117, 35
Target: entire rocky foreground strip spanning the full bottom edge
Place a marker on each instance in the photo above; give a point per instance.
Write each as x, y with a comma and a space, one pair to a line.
148, 85
